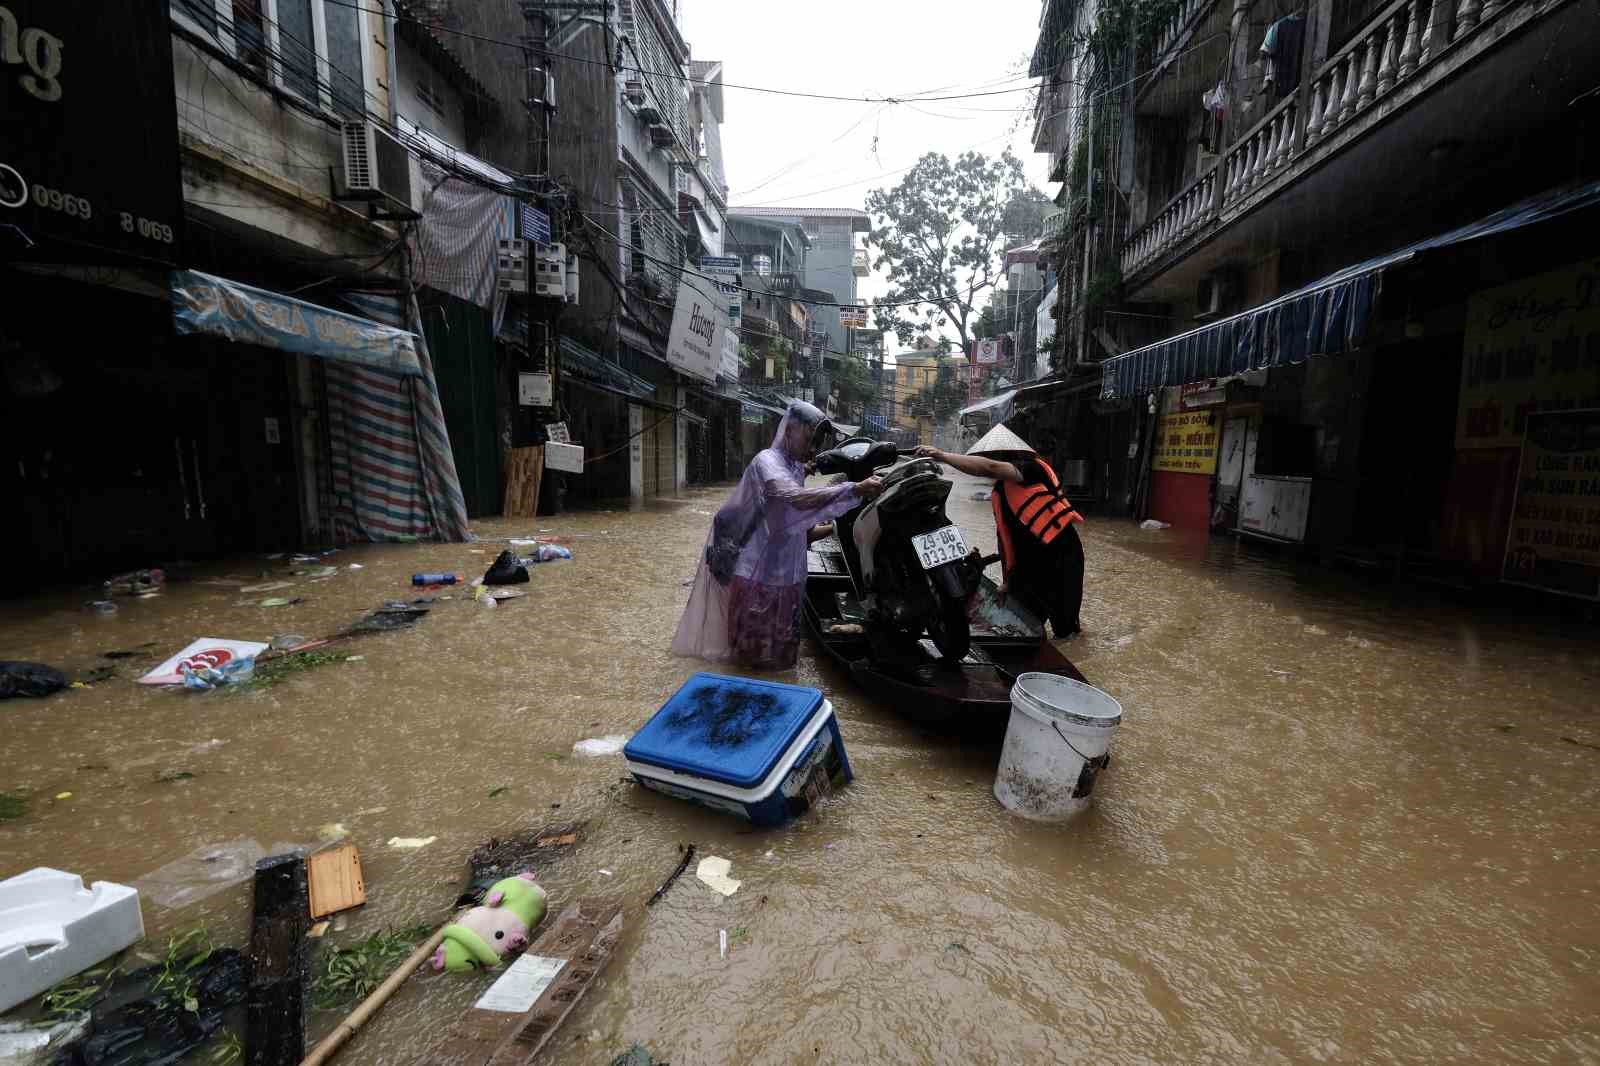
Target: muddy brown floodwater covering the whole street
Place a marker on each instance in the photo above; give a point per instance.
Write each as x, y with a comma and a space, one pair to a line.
1342, 825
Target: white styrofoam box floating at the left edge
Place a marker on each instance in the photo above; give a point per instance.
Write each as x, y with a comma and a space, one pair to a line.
52, 928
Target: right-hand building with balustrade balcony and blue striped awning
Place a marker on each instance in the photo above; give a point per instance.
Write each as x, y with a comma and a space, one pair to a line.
1310, 220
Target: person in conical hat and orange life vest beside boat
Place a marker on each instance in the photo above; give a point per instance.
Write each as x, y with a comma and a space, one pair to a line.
1041, 553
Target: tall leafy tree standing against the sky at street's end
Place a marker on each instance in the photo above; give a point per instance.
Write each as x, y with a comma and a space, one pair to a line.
942, 234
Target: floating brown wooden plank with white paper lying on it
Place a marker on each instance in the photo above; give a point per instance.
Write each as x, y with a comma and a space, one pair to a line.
521, 1012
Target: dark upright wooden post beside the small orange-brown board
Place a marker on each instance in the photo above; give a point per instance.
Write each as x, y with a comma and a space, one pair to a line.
279, 963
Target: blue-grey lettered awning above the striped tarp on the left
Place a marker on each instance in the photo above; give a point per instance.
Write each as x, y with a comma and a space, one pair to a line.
254, 316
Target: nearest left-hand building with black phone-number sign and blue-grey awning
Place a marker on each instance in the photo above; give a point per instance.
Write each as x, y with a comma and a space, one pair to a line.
279, 174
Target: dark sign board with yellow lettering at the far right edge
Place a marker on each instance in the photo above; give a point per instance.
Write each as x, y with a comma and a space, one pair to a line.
1554, 540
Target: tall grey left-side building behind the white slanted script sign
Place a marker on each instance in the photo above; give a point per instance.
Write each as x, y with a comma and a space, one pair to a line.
639, 148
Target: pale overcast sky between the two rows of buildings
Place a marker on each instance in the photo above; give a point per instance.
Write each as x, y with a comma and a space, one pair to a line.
814, 153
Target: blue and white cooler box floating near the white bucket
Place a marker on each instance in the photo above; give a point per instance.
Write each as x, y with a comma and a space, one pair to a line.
751, 748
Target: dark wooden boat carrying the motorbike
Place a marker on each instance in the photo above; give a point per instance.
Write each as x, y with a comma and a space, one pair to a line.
969, 697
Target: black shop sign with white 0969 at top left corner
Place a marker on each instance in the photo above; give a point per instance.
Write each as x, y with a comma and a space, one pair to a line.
89, 132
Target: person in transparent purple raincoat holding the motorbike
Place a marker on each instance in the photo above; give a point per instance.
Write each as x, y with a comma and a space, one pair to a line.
751, 580
